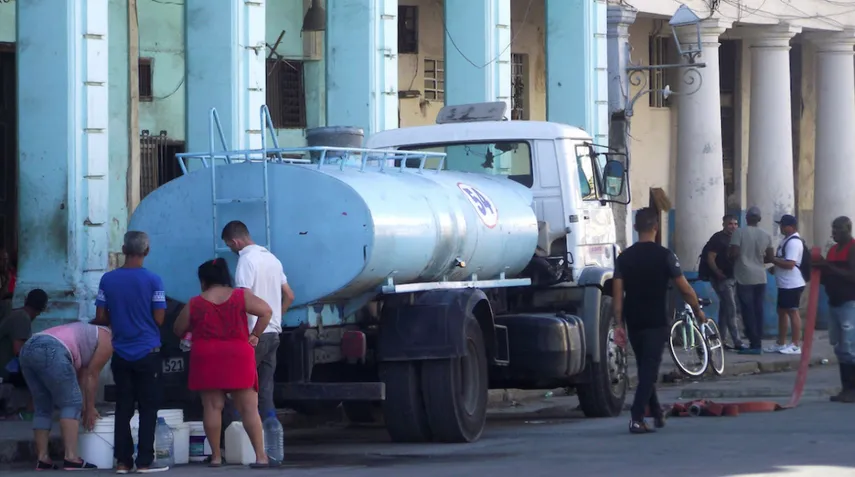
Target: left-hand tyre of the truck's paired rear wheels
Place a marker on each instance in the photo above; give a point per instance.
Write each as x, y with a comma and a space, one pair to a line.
403, 408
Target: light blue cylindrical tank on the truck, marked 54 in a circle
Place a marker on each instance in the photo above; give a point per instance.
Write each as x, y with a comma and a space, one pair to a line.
342, 232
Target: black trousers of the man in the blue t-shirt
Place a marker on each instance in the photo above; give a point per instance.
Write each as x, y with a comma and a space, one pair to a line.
137, 385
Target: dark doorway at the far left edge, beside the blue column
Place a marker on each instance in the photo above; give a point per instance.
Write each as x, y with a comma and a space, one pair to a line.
8, 152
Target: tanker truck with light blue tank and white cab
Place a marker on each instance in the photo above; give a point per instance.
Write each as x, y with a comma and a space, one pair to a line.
432, 265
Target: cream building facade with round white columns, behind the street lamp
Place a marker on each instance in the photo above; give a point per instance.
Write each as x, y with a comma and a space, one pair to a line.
770, 125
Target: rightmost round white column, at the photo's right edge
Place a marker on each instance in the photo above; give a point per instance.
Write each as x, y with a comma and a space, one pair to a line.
835, 140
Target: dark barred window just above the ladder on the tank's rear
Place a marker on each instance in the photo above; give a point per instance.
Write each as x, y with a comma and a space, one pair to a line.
286, 94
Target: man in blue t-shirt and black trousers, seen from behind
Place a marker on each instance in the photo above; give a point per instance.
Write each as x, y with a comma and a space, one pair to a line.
132, 301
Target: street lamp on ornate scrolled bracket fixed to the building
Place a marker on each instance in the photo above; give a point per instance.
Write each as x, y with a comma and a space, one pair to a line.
682, 23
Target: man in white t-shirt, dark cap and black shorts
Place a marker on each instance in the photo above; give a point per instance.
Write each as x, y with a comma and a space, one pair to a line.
791, 284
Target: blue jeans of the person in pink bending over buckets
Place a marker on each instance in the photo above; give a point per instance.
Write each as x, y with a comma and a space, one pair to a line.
52, 379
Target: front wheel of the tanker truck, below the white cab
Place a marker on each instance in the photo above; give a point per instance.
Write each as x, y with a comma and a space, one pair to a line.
605, 393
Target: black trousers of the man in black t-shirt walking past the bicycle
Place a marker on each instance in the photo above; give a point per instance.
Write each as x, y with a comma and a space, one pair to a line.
648, 346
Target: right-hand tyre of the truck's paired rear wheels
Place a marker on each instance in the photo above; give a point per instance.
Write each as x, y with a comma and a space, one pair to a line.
456, 389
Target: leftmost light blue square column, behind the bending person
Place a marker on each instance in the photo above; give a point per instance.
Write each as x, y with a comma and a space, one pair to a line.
63, 117
